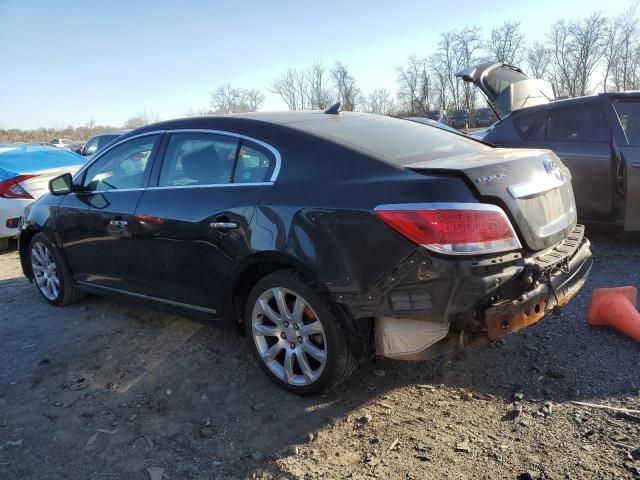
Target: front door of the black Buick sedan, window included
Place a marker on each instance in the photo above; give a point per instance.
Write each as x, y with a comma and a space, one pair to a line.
93, 221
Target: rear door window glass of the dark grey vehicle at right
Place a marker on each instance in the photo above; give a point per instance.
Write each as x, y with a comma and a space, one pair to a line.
582, 123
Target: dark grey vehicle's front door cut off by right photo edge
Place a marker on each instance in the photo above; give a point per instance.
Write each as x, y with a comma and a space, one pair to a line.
627, 122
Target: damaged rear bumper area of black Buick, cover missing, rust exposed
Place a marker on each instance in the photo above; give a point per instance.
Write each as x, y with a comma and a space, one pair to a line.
432, 304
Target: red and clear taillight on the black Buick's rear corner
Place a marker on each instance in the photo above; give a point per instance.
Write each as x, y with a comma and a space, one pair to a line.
458, 228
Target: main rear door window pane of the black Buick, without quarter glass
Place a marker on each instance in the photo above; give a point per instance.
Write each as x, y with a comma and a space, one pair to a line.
194, 158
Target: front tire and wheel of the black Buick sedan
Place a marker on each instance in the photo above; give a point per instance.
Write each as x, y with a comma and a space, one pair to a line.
51, 273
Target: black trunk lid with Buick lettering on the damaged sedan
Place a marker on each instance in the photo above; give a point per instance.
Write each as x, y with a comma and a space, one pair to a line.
533, 186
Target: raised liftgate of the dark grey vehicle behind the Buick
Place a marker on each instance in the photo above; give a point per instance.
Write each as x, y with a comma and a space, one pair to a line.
506, 87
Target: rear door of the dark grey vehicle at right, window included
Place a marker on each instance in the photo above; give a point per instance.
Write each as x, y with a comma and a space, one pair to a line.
580, 135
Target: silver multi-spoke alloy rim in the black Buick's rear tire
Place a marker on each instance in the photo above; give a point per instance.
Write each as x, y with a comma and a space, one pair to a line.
289, 336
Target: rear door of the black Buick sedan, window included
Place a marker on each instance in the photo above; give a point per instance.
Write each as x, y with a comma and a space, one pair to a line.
193, 219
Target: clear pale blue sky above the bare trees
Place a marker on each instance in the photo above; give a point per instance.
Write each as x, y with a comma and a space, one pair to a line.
65, 62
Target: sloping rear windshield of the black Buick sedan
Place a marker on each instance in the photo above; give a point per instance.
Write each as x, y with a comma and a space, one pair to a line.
401, 142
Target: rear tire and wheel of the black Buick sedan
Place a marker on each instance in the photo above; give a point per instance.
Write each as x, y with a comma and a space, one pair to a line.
297, 334
